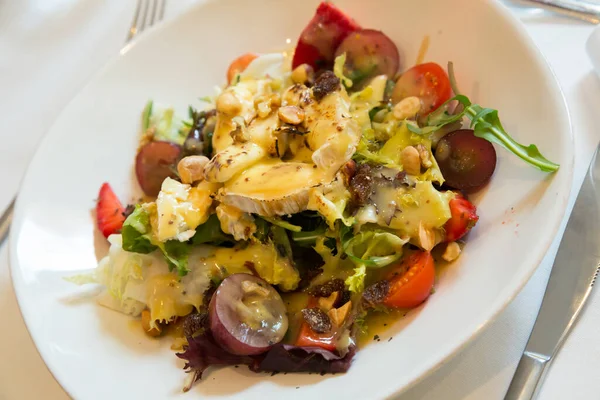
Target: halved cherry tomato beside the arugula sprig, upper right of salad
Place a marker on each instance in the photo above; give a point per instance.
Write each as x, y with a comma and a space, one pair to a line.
428, 81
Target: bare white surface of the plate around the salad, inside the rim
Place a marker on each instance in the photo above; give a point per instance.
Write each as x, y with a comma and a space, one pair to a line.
95, 353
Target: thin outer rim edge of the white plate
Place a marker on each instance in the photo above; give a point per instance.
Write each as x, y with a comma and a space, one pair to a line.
503, 300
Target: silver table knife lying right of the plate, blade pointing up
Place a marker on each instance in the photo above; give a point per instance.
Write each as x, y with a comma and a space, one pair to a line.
573, 275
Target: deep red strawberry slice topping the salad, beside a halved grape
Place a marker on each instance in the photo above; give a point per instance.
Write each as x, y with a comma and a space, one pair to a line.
321, 37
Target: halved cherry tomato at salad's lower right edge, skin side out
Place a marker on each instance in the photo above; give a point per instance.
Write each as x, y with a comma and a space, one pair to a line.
411, 282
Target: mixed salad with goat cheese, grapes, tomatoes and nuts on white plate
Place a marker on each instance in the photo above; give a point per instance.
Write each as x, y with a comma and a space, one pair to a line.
316, 191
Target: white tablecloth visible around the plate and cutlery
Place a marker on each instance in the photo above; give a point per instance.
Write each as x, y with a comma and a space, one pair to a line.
50, 48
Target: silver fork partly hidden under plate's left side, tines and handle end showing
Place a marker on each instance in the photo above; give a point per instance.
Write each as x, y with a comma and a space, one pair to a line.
147, 13
